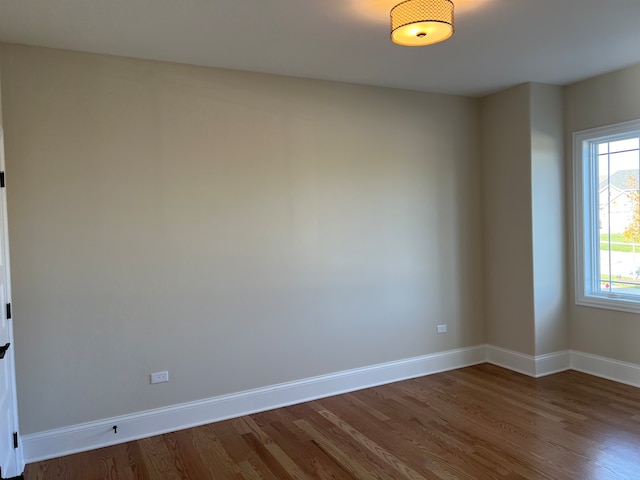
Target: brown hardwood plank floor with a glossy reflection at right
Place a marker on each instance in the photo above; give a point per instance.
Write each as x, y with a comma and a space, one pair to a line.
480, 422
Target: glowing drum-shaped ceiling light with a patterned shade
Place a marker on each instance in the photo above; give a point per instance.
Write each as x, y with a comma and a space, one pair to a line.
415, 23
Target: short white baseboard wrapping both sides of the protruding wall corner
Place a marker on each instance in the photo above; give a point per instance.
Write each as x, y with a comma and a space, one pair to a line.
538, 366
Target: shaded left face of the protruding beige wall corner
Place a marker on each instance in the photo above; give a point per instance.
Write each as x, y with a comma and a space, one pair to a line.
508, 248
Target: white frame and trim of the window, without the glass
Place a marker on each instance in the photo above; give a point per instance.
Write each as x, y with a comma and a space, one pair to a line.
586, 223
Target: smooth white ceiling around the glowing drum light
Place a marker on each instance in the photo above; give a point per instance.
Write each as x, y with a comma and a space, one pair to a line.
497, 43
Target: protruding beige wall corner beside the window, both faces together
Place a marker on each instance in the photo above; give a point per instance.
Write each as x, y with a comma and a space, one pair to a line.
524, 251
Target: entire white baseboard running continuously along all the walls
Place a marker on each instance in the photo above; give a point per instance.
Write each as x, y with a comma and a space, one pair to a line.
92, 435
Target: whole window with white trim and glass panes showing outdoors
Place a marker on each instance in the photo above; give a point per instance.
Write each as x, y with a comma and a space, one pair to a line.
607, 216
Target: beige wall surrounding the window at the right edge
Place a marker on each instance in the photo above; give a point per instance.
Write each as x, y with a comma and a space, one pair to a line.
604, 100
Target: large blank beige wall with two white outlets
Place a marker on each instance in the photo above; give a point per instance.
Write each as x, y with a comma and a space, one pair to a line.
235, 229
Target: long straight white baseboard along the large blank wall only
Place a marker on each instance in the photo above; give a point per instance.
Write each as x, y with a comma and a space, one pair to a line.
92, 435
